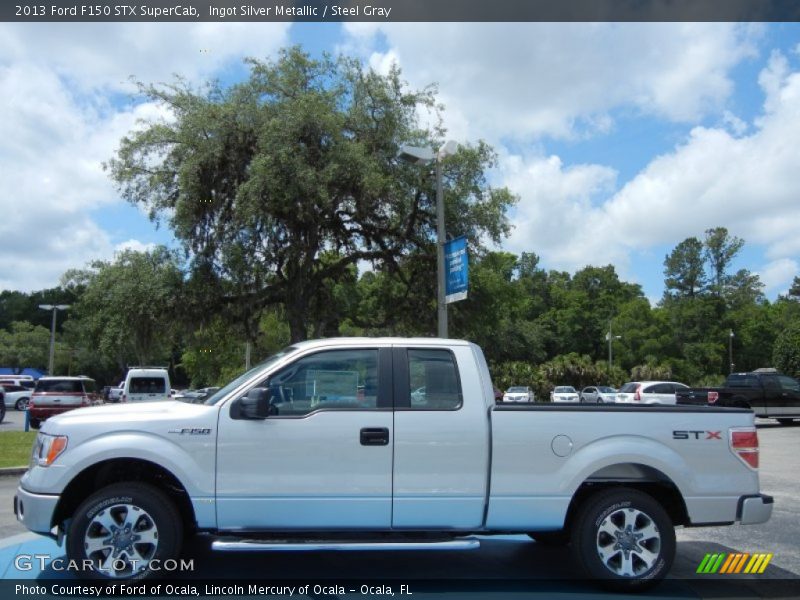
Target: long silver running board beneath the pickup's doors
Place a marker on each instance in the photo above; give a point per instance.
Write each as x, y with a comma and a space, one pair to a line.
249, 545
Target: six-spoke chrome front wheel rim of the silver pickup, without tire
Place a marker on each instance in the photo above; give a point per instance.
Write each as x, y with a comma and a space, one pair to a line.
121, 540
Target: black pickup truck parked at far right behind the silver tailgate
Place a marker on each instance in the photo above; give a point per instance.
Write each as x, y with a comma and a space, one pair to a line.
768, 393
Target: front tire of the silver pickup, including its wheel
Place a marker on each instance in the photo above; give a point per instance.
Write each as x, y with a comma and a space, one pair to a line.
144, 518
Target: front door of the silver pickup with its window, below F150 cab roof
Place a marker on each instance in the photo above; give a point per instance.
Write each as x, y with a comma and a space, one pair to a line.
323, 458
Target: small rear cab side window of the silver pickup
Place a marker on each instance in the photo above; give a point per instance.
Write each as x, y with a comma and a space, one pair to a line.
433, 380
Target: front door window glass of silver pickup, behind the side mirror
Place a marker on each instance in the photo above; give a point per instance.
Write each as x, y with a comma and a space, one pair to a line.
335, 379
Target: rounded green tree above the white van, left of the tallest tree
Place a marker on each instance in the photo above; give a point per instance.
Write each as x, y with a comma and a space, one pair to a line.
129, 308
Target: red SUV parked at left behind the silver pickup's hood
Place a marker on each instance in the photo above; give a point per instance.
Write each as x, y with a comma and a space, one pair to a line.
55, 395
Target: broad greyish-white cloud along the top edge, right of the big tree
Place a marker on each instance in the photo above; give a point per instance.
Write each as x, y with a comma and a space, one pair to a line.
523, 79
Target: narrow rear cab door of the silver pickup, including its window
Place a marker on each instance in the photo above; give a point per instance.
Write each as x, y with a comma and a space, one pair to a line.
441, 437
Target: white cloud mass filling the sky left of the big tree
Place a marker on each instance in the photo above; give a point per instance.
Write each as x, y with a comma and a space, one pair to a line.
60, 123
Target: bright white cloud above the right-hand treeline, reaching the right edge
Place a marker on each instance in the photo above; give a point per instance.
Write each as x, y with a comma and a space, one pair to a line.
747, 183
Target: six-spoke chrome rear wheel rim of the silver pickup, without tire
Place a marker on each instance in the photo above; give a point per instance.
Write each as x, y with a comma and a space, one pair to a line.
628, 542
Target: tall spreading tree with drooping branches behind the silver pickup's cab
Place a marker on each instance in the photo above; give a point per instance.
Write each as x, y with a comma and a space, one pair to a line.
301, 159
